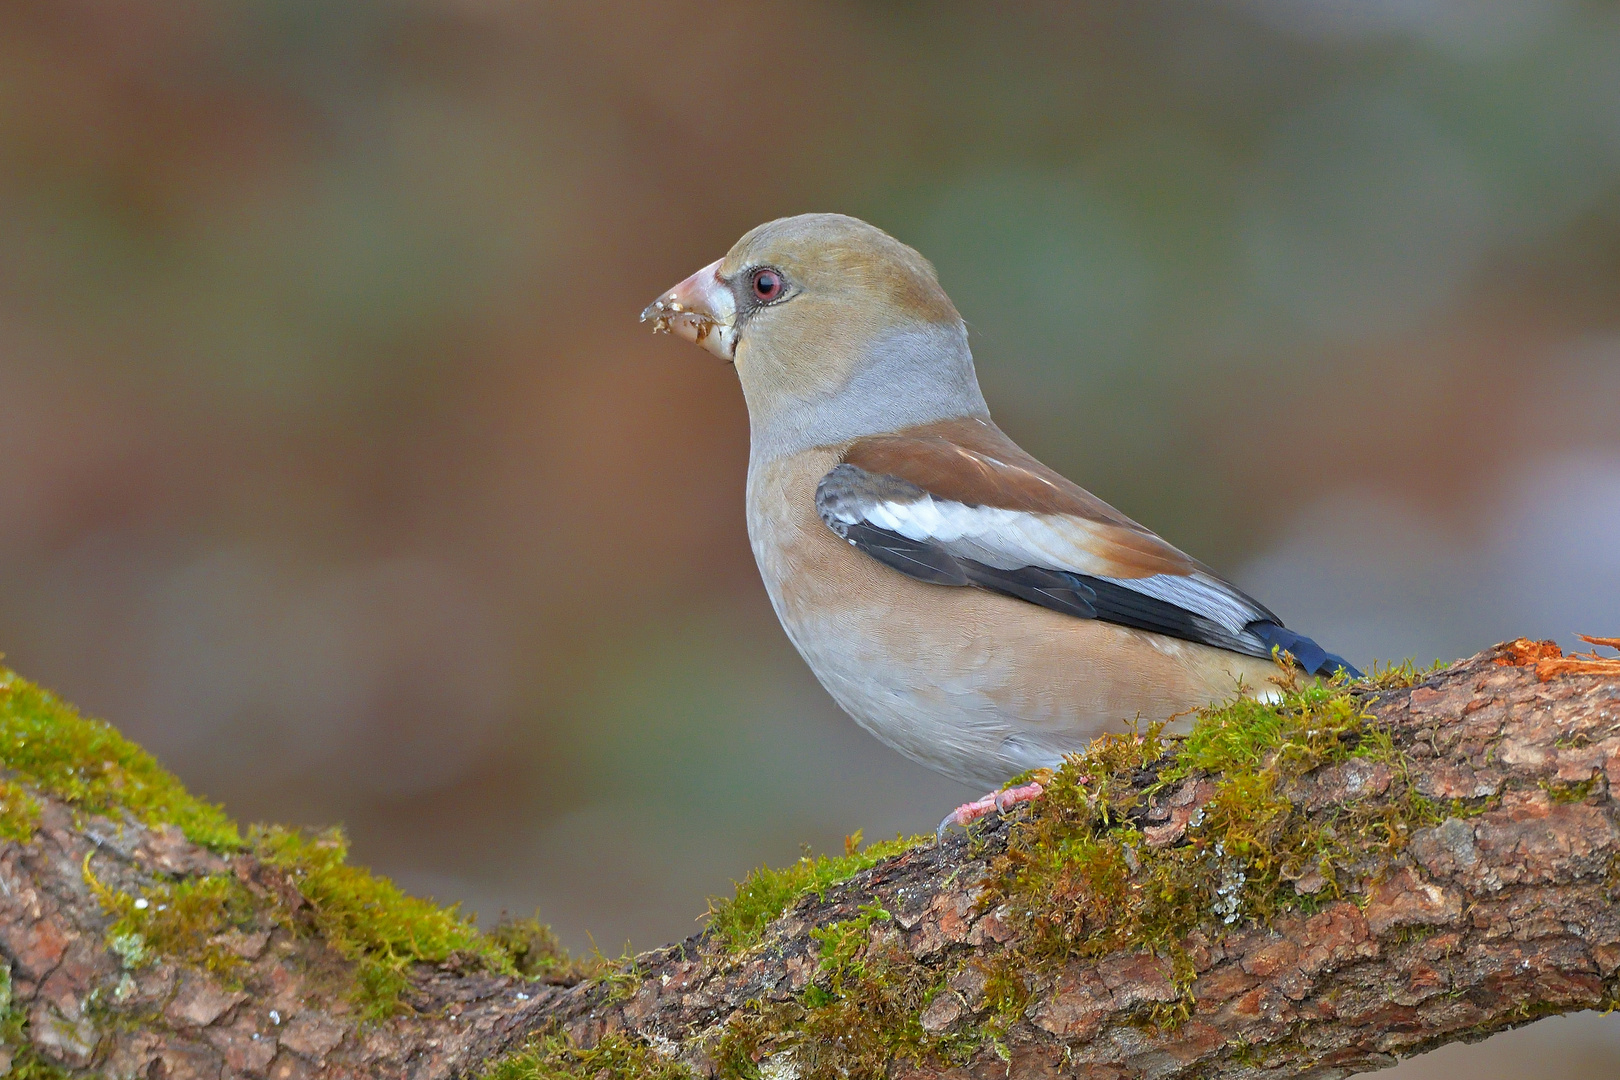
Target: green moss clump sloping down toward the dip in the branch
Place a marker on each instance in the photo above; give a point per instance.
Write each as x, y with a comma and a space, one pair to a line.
370, 921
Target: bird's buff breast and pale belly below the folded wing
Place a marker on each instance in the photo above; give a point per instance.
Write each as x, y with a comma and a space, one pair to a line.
968, 682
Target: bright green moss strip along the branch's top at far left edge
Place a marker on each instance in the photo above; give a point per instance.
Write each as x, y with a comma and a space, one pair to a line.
88, 765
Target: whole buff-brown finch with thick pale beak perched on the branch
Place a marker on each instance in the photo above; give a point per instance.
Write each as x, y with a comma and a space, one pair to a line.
966, 605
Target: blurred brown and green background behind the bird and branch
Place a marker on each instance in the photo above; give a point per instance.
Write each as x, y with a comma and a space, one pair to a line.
339, 474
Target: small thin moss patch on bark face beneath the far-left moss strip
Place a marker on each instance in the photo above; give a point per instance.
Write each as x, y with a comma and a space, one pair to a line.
182, 921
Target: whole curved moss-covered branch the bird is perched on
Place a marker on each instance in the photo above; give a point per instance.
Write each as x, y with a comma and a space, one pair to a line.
1311, 888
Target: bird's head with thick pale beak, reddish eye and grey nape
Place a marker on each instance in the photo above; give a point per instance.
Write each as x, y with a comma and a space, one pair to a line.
833, 325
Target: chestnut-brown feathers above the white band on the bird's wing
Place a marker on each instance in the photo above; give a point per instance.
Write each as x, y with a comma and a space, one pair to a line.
970, 461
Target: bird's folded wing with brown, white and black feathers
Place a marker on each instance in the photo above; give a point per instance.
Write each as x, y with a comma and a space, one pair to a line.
961, 504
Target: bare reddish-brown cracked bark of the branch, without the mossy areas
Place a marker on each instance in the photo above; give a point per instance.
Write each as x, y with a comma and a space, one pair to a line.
1481, 924
